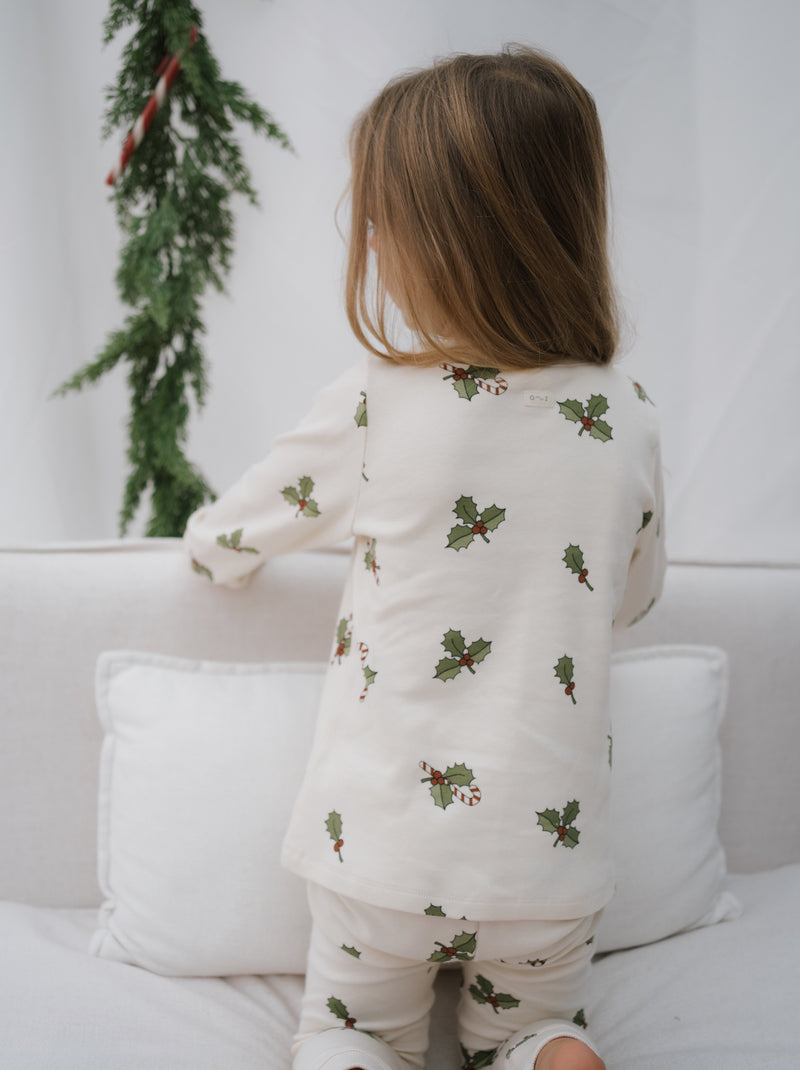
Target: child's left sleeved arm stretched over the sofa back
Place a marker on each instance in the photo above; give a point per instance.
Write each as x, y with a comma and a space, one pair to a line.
302, 496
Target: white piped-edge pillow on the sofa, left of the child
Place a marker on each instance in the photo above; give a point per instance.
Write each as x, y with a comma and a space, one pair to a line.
199, 769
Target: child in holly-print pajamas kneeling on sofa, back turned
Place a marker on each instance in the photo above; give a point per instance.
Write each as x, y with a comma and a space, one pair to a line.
501, 480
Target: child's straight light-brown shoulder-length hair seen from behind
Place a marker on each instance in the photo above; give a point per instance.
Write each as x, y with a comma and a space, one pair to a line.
485, 178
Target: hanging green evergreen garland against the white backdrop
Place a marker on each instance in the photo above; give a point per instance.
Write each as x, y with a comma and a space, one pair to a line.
173, 203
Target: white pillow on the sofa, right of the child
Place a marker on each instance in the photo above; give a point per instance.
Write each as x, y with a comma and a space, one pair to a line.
667, 705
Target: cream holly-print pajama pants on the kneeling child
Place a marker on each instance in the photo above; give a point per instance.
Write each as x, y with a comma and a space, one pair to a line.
370, 987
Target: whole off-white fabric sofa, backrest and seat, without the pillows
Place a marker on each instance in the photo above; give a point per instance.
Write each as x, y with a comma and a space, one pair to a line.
725, 996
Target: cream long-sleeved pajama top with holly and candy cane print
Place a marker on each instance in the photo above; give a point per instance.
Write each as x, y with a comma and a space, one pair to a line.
503, 522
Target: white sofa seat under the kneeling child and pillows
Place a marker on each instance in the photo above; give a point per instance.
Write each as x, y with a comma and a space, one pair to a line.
725, 997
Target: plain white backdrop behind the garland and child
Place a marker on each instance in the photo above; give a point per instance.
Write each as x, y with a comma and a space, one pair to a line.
700, 106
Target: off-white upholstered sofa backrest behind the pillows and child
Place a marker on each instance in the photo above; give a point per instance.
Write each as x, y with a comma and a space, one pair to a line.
60, 607
